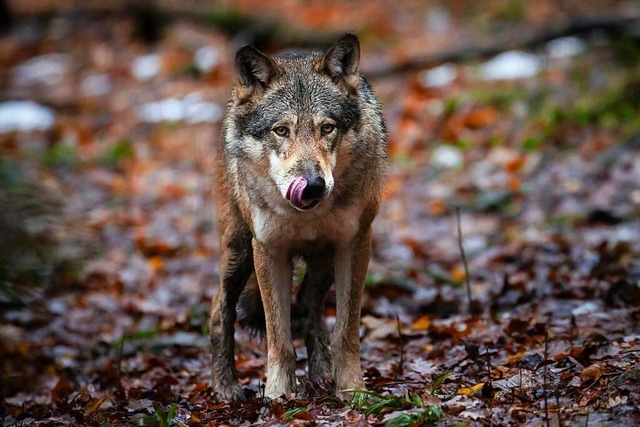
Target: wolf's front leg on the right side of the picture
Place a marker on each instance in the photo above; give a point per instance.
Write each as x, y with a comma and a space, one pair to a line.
351, 264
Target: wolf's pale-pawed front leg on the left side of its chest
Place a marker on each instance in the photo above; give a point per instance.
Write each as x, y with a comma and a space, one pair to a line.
274, 271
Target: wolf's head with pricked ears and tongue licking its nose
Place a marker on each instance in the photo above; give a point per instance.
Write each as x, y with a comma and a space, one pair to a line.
292, 114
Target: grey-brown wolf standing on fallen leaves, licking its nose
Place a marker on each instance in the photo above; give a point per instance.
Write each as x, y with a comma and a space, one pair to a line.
300, 171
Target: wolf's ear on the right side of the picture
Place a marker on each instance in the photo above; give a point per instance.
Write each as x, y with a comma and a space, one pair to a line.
341, 60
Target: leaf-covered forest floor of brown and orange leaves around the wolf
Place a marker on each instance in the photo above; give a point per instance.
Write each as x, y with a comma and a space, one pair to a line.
109, 248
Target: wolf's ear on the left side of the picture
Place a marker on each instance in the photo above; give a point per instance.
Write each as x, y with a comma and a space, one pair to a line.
254, 71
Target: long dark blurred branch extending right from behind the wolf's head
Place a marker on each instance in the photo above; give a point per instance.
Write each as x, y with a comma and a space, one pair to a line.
577, 26
